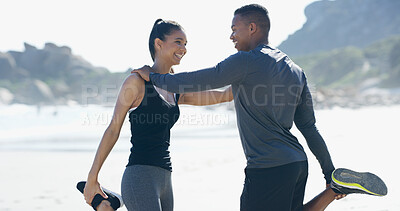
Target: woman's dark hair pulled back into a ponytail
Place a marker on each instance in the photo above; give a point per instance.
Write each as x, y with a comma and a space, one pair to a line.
161, 28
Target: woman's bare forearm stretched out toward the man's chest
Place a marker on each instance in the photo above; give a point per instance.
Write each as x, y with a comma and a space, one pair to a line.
206, 97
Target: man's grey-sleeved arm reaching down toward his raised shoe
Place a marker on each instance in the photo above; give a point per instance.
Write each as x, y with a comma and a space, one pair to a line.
305, 121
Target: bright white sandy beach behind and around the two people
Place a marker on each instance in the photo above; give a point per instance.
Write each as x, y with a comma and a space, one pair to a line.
207, 161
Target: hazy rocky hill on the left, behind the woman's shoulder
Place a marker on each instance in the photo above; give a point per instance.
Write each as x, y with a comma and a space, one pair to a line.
53, 75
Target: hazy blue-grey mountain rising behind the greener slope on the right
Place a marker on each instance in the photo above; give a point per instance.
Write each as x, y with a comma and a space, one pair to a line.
341, 23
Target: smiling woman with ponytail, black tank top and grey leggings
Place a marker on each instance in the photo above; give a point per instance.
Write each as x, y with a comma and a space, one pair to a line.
146, 183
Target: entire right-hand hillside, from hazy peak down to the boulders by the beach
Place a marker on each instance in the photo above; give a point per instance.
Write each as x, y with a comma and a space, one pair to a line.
350, 51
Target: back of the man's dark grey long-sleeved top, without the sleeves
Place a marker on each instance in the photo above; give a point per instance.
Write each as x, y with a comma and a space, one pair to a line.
266, 100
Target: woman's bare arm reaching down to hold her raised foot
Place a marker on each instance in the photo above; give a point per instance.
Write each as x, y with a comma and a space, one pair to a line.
130, 95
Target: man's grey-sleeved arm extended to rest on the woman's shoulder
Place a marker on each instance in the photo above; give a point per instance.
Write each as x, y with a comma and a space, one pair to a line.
231, 70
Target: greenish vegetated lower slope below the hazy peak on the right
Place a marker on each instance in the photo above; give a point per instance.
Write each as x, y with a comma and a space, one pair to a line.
378, 63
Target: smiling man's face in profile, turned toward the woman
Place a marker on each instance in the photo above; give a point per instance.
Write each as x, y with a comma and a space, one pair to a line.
240, 34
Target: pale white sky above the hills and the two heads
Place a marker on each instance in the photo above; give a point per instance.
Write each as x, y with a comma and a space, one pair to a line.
114, 34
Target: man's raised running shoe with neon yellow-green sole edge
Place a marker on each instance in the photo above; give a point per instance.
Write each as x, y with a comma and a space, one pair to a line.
346, 181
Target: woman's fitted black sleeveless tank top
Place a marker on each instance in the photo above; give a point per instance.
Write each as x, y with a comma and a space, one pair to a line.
151, 122
